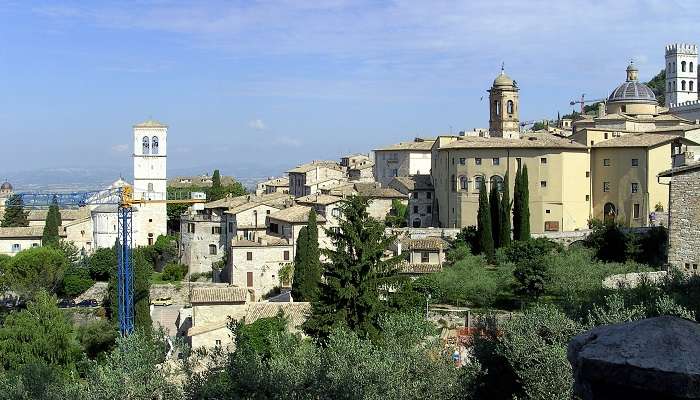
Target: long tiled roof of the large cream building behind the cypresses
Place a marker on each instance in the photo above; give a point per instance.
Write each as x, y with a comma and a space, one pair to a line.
540, 140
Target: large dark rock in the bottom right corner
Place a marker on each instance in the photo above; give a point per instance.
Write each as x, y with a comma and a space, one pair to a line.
654, 358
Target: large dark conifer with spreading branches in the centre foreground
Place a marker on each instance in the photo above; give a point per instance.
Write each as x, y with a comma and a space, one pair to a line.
356, 274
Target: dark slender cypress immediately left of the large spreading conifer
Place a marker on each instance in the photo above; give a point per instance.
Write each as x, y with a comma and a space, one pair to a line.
307, 264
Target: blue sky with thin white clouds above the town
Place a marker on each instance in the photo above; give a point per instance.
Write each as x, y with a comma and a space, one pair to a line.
263, 85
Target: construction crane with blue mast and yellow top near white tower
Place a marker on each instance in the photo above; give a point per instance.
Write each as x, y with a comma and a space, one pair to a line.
123, 198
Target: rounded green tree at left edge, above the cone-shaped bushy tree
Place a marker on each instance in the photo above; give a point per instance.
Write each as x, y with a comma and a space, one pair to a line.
34, 269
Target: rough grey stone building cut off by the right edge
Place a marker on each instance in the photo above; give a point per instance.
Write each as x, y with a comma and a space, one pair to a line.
684, 216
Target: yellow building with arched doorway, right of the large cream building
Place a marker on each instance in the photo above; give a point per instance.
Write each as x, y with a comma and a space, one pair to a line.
624, 184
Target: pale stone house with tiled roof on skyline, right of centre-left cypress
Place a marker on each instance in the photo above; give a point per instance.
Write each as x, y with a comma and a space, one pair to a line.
310, 178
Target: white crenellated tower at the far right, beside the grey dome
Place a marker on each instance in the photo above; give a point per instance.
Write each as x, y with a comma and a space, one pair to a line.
681, 73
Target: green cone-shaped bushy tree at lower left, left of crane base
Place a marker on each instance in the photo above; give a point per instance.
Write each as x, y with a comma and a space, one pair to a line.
41, 334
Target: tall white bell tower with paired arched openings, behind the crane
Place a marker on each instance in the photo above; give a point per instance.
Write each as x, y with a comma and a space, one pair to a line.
150, 181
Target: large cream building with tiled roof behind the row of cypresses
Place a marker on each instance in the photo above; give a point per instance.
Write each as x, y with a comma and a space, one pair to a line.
557, 171
